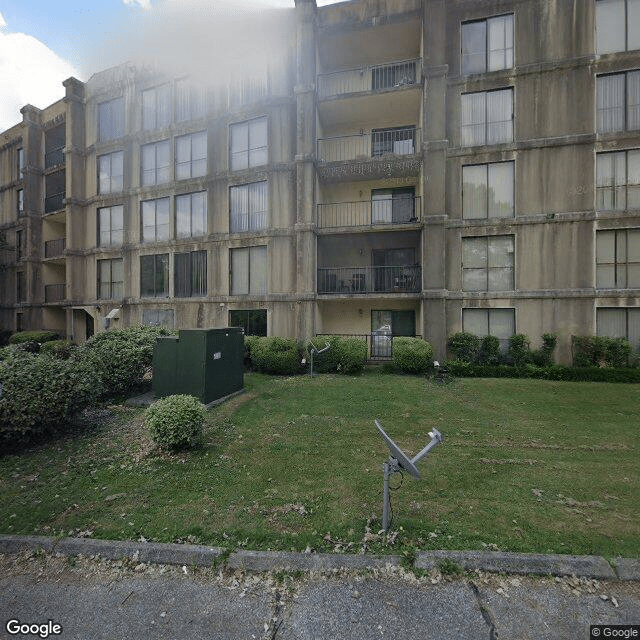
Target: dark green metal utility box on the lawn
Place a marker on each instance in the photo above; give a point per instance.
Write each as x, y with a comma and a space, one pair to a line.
205, 363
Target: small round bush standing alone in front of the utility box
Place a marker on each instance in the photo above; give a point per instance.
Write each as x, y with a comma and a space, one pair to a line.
176, 422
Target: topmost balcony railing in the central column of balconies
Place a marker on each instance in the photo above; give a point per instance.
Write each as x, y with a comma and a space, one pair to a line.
393, 75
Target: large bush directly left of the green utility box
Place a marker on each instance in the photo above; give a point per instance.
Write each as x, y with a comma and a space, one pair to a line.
121, 358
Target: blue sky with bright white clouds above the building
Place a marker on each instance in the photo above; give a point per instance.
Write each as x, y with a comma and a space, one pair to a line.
44, 42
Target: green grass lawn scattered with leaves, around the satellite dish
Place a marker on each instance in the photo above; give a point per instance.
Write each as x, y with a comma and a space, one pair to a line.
295, 463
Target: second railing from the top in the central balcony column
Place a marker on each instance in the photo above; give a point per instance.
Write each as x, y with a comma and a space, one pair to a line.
379, 143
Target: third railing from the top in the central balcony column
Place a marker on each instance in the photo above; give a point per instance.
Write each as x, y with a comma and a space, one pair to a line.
394, 210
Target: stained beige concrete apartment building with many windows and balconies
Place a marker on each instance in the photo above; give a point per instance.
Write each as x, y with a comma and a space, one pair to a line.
402, 167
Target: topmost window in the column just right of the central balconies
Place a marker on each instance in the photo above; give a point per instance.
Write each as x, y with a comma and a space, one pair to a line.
487, 45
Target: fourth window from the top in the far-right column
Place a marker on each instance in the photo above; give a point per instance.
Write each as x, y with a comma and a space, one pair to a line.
618, 259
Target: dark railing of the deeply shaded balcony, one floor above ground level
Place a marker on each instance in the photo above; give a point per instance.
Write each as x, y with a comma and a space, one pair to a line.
363, 280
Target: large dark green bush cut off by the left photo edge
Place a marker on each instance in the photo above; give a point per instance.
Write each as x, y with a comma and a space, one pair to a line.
42, 394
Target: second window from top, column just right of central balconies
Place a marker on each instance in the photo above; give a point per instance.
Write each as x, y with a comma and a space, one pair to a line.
487, 117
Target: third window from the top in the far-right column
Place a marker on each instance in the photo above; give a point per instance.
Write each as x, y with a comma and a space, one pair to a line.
618, 180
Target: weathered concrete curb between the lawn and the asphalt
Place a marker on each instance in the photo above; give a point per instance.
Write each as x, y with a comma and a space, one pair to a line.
258, 561
